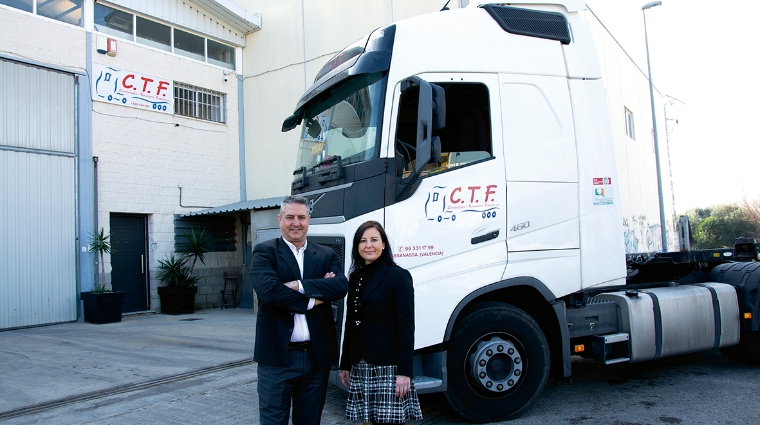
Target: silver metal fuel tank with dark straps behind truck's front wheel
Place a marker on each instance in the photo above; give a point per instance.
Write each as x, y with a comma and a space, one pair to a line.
674, 320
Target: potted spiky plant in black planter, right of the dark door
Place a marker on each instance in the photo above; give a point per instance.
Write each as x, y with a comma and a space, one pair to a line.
176, 273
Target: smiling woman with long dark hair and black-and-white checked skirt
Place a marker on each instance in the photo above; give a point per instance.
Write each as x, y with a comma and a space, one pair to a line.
378, 340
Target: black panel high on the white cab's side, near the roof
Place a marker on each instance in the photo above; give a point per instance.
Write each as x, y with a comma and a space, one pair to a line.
531, 23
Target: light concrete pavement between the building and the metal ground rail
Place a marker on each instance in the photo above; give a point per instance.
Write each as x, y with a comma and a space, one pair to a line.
60, 364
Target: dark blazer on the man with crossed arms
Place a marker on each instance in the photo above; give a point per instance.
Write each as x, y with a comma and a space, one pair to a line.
272, 265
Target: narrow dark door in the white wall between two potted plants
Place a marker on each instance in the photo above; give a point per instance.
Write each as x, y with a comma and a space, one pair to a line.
129, 259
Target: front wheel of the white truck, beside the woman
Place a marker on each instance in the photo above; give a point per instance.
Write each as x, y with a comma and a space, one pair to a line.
498, 364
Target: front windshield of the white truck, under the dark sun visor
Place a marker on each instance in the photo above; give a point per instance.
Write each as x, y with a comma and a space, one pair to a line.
343, 122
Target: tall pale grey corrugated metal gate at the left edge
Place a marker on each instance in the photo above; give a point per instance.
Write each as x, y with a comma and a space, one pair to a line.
37, 196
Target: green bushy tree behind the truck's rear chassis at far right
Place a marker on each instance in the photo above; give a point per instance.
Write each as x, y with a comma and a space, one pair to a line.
719, 226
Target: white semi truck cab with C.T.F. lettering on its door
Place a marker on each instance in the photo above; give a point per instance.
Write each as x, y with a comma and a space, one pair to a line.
481, 138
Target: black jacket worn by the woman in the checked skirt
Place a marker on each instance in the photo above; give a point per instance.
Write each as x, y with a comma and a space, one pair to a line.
385, 335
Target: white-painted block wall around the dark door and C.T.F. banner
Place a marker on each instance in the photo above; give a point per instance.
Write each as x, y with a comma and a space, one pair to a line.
143, 156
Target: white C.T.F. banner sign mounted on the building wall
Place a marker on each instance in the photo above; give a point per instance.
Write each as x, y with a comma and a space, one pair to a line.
132, 89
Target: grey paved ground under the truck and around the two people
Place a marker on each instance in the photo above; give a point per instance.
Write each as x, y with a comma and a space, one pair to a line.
197, 369
